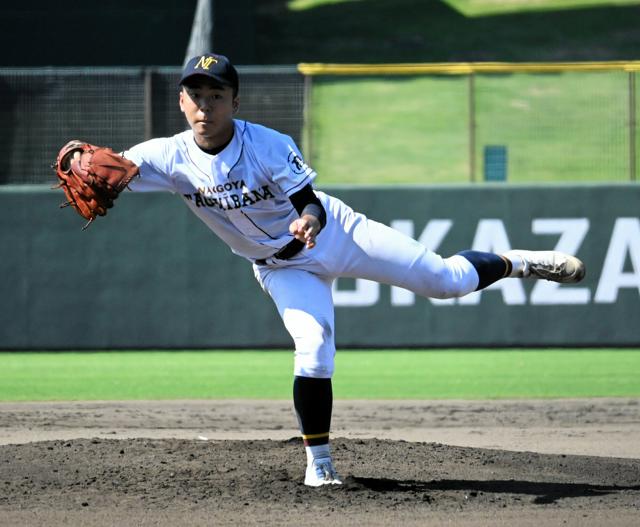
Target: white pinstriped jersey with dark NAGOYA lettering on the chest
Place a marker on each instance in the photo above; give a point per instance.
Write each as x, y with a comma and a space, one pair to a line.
242, 193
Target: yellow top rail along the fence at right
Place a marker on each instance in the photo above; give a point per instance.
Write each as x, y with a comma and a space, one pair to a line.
464, 68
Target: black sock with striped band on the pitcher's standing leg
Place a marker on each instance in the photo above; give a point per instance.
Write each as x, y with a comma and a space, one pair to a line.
313, 402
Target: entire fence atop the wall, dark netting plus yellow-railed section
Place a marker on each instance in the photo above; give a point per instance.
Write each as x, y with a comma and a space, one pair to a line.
357, 124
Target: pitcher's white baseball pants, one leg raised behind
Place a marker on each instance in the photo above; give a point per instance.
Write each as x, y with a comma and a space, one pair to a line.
351, 245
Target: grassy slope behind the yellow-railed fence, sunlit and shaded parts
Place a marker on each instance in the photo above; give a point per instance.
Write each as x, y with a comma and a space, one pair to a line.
557, 128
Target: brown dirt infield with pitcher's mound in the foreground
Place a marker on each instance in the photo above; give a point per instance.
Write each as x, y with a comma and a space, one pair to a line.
552, 462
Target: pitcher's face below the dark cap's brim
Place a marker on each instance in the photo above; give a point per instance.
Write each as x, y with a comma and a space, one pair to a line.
209, 110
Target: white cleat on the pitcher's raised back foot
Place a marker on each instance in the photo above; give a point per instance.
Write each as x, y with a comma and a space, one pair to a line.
550, 265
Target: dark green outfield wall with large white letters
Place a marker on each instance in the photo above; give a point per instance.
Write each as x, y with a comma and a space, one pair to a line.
150, 275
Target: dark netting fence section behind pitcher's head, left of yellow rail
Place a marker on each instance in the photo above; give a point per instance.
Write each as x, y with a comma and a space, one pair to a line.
42, 108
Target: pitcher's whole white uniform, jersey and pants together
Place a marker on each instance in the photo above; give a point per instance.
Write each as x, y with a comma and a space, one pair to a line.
242, 194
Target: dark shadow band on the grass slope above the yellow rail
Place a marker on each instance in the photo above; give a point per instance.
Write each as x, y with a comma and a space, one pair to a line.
375, 31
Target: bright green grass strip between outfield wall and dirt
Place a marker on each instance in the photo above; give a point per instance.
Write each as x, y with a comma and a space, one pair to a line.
382, 374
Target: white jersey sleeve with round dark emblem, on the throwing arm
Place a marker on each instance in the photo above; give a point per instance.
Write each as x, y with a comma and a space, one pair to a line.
288, 168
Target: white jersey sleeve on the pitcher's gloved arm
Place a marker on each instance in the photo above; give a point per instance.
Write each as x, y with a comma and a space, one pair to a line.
152, 158
